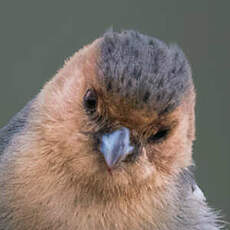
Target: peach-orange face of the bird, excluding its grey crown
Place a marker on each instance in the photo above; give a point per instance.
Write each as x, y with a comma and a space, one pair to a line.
109, 140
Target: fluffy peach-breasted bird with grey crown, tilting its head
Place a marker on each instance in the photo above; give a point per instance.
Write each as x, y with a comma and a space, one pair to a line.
107, 144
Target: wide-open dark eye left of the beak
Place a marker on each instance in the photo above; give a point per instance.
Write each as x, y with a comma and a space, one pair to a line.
90, 101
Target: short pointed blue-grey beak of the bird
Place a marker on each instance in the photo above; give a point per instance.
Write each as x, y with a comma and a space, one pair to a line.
116, 146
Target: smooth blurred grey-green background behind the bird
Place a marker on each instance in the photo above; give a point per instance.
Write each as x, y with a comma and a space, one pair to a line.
37, 36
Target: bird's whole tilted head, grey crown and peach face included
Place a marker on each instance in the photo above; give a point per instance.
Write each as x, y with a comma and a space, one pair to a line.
119, 116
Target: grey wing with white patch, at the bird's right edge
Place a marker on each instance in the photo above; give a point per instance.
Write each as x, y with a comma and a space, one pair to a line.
193, 211
